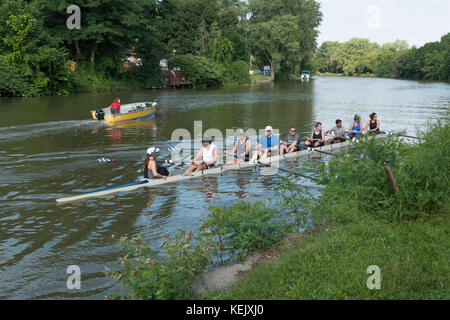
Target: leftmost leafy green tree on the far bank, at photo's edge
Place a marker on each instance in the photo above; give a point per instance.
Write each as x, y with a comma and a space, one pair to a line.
27, 47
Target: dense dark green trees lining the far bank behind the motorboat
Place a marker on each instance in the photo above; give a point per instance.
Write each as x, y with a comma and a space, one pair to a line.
211, 40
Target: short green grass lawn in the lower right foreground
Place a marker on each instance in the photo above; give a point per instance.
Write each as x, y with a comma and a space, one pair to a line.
331, 263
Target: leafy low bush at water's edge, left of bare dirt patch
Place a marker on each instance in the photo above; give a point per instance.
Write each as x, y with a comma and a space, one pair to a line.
148, 275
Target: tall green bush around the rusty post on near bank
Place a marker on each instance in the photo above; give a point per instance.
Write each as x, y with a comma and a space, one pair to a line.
356, 183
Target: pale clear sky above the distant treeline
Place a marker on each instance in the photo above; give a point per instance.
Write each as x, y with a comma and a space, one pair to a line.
382, 21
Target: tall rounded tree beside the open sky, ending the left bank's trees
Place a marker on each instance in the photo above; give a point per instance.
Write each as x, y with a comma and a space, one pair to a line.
284, 32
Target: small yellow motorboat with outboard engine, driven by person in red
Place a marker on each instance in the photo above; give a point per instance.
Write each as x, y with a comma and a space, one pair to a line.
132, 111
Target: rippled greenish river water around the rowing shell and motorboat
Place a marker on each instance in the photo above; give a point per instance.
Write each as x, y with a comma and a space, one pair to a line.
49, 148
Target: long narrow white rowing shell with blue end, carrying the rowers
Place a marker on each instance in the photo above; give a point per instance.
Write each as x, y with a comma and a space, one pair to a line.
273, 161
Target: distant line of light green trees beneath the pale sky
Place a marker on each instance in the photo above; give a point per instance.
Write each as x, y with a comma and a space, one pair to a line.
391, 60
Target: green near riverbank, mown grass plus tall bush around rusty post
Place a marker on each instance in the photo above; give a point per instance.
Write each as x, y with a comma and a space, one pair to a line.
405, 236
